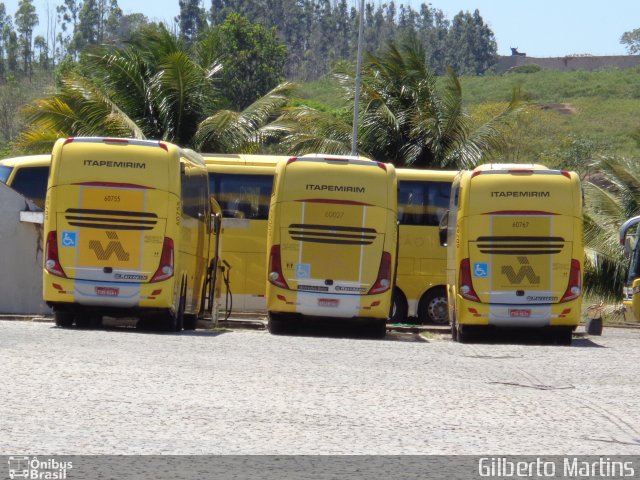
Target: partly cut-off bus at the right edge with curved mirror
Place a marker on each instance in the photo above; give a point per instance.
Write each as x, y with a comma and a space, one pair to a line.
631, 293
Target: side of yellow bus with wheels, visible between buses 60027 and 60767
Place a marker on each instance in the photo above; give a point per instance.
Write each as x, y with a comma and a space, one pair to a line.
421, 282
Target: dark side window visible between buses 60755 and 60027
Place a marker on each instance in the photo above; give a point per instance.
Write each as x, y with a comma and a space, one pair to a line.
242, 196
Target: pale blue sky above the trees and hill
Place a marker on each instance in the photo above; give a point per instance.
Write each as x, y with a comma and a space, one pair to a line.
541, 28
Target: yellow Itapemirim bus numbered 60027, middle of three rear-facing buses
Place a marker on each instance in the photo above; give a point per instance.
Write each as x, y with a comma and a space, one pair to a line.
332, 240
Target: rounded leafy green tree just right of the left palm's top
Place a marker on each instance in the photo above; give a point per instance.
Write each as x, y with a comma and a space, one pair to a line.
252, 56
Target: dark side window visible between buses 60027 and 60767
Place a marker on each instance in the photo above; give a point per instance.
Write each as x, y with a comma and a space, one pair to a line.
422, 203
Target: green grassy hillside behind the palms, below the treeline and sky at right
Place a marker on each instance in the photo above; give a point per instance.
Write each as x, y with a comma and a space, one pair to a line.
569, 116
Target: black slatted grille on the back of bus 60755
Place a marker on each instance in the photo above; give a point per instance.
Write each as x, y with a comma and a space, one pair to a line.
111, 219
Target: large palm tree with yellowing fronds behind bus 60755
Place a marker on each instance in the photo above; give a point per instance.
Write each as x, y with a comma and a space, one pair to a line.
156, 87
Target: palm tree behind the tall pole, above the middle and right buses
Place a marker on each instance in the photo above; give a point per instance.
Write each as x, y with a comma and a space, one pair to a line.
406, 119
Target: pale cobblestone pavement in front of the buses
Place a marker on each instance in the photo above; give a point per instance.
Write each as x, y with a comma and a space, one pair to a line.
121, 391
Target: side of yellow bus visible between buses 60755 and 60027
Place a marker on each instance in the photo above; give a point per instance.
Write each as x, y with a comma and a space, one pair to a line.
242, 186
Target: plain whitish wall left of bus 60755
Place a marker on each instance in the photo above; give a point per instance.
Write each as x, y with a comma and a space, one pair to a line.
21, 246
